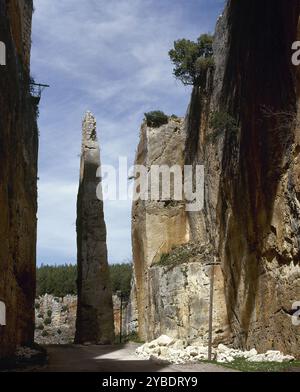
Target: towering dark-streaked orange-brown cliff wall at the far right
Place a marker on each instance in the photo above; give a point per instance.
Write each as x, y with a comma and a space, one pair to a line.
259, 205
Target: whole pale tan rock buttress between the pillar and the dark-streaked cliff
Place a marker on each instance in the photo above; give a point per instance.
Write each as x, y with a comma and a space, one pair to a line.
173, 299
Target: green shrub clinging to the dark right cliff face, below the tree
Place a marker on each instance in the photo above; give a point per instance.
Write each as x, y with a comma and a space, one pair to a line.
221, 122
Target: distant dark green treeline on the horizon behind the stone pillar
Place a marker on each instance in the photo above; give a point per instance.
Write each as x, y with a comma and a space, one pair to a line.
61, 280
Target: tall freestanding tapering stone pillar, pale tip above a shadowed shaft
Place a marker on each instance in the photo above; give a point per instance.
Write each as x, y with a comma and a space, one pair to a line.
95, 309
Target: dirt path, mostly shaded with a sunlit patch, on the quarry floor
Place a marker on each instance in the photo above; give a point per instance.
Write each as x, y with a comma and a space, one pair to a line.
111, 359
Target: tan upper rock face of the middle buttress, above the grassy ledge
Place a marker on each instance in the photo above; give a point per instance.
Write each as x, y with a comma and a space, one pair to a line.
157, 225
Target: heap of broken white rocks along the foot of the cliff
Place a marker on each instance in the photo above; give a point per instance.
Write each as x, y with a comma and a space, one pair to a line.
179, 352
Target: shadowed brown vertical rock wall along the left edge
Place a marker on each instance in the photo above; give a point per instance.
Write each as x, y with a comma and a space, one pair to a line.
18, 178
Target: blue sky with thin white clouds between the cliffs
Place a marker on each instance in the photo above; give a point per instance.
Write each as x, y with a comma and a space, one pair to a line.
110, 57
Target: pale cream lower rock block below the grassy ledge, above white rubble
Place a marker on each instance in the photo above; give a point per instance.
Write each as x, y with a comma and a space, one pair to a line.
179, 303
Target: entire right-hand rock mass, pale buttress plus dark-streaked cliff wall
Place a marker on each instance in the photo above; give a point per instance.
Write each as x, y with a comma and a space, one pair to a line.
250, 224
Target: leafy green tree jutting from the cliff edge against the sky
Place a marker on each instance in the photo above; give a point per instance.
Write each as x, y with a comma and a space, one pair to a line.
192, 59
